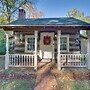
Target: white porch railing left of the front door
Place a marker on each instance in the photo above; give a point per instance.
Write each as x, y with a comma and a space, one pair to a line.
21, 60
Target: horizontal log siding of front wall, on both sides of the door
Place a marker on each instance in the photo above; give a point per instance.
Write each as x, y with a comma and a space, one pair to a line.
73, 45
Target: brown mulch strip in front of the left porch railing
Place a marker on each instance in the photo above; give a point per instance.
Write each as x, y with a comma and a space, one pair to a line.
13, 74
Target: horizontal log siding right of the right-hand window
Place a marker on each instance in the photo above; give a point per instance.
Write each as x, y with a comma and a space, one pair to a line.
74, 46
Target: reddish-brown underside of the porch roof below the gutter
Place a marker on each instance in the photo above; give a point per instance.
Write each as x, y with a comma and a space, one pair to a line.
43, 28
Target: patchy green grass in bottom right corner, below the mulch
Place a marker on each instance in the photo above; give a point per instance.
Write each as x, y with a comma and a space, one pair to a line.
73, 85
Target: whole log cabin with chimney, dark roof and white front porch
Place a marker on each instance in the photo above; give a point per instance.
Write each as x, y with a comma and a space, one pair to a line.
44, 40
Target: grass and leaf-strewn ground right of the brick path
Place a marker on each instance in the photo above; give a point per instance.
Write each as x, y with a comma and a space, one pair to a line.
72, 79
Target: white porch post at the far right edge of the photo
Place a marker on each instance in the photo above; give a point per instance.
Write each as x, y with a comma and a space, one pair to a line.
88, 49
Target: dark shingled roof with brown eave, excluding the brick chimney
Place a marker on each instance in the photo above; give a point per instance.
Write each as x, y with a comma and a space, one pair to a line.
67, 23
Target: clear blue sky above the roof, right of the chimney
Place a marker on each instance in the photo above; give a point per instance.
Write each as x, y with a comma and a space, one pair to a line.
59, 8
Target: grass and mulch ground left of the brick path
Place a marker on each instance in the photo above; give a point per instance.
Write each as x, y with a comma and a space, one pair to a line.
15, 79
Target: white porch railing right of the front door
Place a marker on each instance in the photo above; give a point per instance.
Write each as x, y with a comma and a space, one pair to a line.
73, 60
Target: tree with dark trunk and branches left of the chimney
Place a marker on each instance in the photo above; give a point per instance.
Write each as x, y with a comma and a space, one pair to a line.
9, 7
